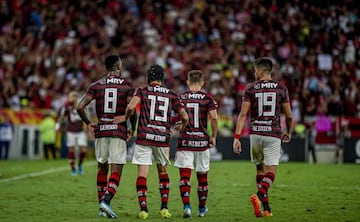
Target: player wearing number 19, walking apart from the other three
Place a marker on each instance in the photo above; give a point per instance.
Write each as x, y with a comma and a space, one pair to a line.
264, 99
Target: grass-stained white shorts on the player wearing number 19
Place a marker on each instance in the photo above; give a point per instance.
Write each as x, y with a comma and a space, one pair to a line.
265, 150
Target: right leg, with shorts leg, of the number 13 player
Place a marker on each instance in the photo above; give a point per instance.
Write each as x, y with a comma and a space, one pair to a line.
162, 159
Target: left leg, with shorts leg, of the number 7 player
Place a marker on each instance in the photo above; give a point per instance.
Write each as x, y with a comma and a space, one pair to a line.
184, 160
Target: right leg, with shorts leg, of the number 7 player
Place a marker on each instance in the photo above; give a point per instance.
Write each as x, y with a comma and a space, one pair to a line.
202, 162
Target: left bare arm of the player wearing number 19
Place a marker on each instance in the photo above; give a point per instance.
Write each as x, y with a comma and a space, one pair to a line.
245, 107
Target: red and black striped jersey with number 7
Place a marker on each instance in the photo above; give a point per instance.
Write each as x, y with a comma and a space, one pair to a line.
195, 135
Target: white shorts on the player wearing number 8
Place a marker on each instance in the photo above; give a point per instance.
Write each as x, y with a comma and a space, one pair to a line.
110, 150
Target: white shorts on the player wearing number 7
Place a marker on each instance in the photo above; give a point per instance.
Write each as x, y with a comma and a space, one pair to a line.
200, 161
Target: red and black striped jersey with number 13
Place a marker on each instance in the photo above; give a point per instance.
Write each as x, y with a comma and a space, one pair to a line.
156, 105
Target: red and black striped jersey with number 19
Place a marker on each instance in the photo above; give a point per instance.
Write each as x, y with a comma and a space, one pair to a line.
266, 98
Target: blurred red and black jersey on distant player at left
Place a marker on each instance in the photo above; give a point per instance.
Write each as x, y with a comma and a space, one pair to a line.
74, 123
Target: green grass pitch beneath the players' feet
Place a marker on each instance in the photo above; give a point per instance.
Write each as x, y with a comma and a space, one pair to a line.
45, 191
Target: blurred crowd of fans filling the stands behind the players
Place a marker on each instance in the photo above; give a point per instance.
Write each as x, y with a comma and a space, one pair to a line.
51, 47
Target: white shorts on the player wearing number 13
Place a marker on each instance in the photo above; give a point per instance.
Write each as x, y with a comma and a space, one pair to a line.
143, 155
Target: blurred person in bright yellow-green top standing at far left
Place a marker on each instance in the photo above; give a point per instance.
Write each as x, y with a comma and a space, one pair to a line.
48, 135
